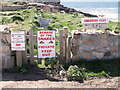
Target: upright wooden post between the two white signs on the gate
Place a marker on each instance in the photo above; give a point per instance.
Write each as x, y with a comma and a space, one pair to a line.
31, 43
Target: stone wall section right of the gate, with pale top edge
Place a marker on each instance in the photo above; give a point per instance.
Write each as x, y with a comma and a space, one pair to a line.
96, 45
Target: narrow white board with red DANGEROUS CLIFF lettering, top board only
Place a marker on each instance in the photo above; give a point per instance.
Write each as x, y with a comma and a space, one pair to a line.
94, 20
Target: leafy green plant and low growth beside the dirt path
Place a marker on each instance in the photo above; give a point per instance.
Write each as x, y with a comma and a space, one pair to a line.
79, 73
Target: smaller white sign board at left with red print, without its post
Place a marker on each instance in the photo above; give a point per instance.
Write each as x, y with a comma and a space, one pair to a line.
18, 40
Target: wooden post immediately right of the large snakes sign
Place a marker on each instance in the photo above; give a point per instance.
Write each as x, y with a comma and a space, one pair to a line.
61, 46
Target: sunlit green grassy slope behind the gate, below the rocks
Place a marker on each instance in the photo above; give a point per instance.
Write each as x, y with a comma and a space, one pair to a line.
29, 19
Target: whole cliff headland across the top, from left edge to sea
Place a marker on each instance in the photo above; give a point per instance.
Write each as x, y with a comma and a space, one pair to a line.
52, 6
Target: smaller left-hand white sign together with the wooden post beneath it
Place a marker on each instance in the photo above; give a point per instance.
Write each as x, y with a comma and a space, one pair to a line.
18, 45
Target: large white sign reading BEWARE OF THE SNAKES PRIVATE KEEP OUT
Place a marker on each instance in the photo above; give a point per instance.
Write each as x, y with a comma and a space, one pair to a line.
46, 44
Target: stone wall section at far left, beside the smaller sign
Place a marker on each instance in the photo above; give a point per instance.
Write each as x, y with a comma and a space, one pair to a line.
7, 60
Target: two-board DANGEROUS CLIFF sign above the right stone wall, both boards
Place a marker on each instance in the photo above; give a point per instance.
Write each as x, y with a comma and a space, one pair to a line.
94, 23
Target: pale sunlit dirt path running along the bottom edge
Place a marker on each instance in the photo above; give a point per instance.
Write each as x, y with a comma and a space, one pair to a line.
98, 83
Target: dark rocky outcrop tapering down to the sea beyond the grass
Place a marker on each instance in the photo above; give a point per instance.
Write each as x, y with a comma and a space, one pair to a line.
57, 7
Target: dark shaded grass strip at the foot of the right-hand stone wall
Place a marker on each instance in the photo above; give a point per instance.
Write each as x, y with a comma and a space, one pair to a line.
111, 67
